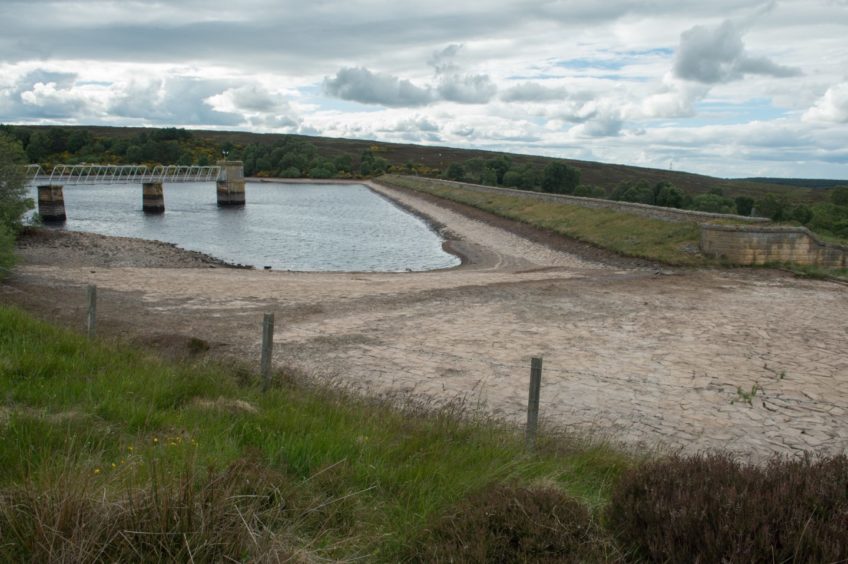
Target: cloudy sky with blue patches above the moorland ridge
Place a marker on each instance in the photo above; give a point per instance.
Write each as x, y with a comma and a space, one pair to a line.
729, 88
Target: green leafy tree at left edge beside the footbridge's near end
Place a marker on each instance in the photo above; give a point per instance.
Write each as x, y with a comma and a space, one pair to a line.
13, 197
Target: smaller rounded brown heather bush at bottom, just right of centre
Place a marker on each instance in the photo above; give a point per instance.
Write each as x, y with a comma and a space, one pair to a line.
507, 523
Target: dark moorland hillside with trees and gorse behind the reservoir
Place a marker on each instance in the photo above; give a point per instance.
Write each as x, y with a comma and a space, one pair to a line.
807, 202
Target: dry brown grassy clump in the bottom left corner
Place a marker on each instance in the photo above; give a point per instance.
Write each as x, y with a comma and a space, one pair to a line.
226, 516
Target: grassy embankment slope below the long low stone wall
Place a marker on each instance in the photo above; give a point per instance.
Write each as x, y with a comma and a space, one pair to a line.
623, 233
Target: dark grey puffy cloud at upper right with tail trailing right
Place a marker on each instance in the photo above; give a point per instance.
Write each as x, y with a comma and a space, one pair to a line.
712, 55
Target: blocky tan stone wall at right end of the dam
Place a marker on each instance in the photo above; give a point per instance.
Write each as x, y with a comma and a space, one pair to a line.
755, 244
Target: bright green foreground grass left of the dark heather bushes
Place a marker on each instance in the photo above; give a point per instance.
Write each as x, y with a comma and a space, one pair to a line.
104, 433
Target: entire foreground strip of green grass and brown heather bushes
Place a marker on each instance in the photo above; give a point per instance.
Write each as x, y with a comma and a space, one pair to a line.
108, 454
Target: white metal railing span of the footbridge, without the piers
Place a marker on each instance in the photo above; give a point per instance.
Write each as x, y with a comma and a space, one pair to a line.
121, 174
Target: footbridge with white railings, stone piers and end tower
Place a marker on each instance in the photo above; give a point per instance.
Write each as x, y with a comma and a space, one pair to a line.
228, 177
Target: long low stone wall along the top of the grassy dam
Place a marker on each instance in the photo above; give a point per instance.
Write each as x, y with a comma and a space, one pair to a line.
654, 212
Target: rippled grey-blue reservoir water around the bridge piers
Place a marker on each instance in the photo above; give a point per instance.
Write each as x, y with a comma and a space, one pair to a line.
305, 227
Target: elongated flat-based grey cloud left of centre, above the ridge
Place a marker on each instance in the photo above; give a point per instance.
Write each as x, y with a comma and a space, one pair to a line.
361, 85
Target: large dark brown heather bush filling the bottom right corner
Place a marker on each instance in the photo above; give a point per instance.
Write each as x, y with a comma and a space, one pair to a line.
713, 509
